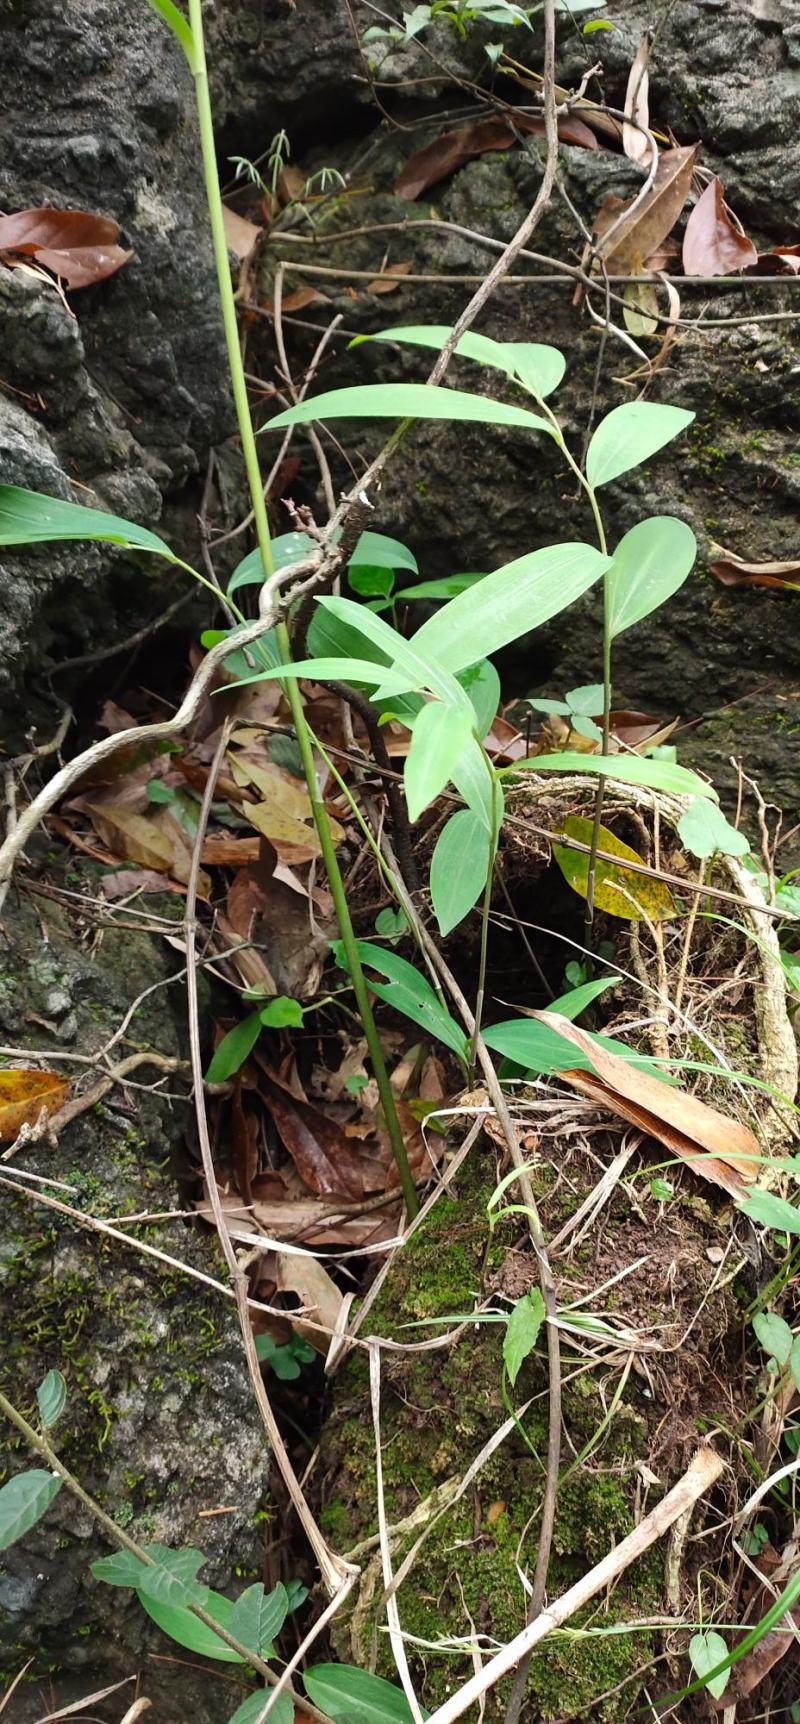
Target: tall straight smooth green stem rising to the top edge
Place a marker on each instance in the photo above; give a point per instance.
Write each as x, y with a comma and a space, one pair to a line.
239, 382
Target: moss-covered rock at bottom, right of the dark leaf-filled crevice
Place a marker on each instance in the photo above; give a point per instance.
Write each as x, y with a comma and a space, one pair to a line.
441, 1408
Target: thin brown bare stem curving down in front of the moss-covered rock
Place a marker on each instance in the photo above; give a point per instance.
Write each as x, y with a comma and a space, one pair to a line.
534, 1227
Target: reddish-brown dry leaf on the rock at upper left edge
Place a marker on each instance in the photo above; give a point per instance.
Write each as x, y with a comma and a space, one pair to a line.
77, 246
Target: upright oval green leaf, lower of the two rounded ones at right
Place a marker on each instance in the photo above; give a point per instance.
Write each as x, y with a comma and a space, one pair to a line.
651, 563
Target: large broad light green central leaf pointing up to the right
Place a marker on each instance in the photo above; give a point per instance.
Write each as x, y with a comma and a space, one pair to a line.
520, 597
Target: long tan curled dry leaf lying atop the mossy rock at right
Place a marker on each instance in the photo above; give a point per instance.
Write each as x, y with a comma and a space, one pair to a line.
716, 1147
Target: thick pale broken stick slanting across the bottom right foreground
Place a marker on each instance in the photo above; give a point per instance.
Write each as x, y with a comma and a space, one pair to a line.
699, 1478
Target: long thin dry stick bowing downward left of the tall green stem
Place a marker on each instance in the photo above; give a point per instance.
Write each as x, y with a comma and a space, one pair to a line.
337, 1575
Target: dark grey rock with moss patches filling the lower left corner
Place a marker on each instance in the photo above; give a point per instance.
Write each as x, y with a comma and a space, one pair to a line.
159, 1423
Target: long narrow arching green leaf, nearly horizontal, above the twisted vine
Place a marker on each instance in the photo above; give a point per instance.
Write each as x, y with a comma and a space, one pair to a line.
408, 401
